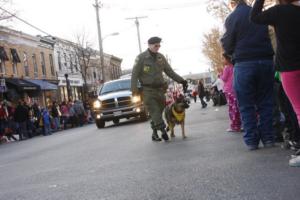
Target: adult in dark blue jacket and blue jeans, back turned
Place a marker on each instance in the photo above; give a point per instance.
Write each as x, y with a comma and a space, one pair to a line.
250, 47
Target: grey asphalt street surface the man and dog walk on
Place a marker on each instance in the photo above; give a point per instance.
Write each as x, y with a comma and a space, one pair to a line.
122, 163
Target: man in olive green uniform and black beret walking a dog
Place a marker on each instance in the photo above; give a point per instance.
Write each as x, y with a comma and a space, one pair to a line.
148, 70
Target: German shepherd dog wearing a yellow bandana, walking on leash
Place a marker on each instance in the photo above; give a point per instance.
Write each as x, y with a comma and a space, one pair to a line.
175, 114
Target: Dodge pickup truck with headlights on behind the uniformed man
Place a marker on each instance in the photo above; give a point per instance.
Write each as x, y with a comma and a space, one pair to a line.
115, 101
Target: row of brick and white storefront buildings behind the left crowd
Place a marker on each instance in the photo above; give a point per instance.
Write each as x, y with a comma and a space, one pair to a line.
54, 67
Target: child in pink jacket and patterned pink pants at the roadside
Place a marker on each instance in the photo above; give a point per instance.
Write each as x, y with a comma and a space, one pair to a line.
233, 109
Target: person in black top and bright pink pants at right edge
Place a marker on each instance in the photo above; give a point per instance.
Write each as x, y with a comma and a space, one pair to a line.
285, 18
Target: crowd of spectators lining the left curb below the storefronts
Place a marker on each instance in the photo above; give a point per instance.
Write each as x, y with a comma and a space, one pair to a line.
29, 119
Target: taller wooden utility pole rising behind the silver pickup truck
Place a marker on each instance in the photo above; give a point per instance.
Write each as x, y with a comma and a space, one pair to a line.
97, 6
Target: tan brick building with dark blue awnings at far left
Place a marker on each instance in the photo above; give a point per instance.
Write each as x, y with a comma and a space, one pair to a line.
25, 58
